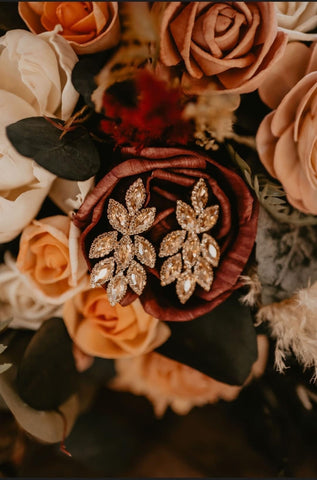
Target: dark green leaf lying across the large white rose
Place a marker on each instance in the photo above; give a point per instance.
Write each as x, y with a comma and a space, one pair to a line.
73, 157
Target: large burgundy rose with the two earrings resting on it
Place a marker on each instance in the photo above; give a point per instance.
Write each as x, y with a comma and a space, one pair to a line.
170, 174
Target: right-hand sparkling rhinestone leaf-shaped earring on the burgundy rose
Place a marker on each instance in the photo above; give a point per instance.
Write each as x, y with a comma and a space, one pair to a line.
192, 256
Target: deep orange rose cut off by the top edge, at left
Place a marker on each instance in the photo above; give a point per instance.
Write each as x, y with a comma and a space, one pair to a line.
88, 26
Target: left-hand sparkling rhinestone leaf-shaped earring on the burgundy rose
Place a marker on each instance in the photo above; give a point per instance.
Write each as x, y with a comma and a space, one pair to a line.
122, 268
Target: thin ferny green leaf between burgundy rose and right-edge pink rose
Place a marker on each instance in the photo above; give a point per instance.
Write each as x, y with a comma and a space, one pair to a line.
269, 192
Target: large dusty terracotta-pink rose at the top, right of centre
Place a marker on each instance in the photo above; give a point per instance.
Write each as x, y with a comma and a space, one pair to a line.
223, 45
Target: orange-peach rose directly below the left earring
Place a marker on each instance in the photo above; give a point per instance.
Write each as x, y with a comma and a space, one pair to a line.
104, 331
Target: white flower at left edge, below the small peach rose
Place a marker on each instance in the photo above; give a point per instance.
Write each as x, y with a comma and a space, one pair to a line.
19, 300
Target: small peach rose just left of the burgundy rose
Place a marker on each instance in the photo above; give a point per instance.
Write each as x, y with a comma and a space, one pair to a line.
50, 257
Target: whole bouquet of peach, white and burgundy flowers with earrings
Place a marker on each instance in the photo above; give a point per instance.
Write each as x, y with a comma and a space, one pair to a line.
158, 201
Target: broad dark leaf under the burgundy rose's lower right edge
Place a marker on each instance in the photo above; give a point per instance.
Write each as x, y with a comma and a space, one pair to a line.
221, 344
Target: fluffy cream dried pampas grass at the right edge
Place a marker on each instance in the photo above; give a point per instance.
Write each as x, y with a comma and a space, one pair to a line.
293, 324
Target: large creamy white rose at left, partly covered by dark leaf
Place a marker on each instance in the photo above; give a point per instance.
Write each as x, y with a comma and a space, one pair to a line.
35, 80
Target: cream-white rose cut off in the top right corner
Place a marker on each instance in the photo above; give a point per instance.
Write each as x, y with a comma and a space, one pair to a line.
297, 18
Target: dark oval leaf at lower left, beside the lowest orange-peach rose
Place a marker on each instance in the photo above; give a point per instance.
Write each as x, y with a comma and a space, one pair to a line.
47, 376
